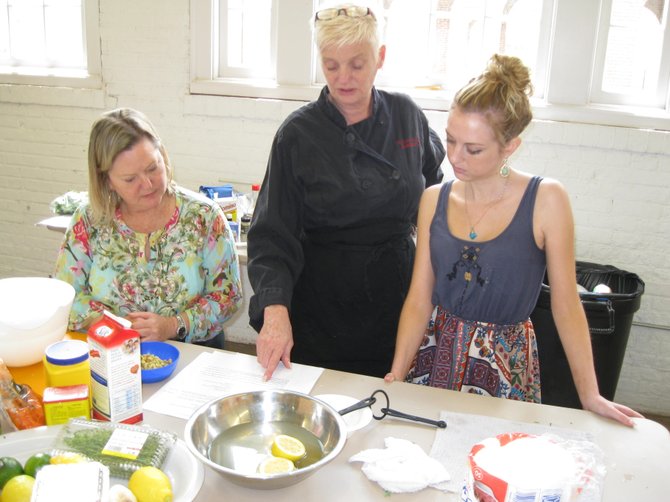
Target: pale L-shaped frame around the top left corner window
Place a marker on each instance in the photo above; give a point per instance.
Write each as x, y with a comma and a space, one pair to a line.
90, 78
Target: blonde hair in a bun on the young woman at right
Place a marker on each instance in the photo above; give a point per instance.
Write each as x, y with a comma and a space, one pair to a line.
502, 94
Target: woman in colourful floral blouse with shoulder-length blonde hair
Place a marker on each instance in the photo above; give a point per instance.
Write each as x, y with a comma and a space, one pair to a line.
143, 248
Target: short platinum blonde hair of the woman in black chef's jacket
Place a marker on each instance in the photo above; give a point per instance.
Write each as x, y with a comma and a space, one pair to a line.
344, 30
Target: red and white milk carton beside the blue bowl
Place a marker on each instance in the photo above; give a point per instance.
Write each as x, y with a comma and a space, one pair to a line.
116, 377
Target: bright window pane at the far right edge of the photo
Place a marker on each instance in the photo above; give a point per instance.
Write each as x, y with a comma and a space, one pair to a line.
634, 46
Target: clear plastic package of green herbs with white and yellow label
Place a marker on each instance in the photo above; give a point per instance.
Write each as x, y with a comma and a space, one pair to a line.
123, 448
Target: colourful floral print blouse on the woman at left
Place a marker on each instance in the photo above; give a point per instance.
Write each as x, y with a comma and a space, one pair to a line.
192, 268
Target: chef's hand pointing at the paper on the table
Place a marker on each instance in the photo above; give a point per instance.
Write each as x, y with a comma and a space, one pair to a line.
275, 340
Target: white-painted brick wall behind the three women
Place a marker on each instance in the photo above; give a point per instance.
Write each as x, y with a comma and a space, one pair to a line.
618, 178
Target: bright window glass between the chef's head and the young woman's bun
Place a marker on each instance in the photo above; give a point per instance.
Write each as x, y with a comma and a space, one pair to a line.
451, 40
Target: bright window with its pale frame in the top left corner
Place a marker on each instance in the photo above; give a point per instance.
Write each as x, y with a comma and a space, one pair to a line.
49, 42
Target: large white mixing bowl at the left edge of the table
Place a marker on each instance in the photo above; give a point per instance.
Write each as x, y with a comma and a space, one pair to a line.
34, 313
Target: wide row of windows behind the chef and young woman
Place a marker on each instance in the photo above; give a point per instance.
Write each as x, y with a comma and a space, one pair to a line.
602, 62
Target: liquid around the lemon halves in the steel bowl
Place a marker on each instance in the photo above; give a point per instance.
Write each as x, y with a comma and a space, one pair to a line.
244, 446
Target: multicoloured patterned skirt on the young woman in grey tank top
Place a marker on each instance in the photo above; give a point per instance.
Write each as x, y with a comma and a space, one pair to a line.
481, 358
